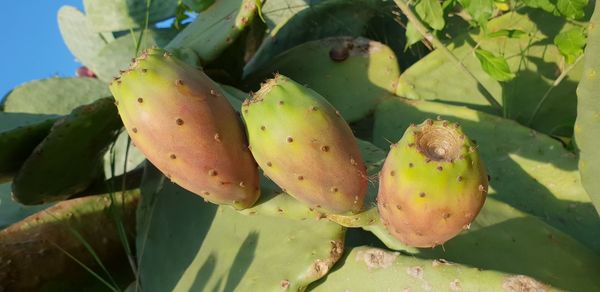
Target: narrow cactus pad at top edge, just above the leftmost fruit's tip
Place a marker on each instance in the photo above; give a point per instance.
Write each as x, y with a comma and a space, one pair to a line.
218, 28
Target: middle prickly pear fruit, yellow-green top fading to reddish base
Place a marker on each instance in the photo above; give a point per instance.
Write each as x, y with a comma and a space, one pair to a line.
302, 143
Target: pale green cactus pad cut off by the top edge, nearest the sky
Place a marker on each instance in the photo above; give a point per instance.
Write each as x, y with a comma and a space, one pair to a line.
120, 15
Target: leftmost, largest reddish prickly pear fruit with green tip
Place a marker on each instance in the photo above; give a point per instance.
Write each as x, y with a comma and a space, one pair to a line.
179, 118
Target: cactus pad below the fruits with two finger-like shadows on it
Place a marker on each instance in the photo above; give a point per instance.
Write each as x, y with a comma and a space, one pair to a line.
196, 246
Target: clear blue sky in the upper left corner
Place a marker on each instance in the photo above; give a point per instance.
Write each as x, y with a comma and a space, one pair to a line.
31, 46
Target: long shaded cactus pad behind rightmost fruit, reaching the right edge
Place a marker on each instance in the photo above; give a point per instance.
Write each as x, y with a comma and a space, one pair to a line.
528, 170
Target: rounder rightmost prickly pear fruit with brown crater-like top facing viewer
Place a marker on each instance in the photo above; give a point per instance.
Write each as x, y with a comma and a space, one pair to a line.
432, 184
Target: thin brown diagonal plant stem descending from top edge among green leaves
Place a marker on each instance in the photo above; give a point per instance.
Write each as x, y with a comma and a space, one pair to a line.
439, 45
